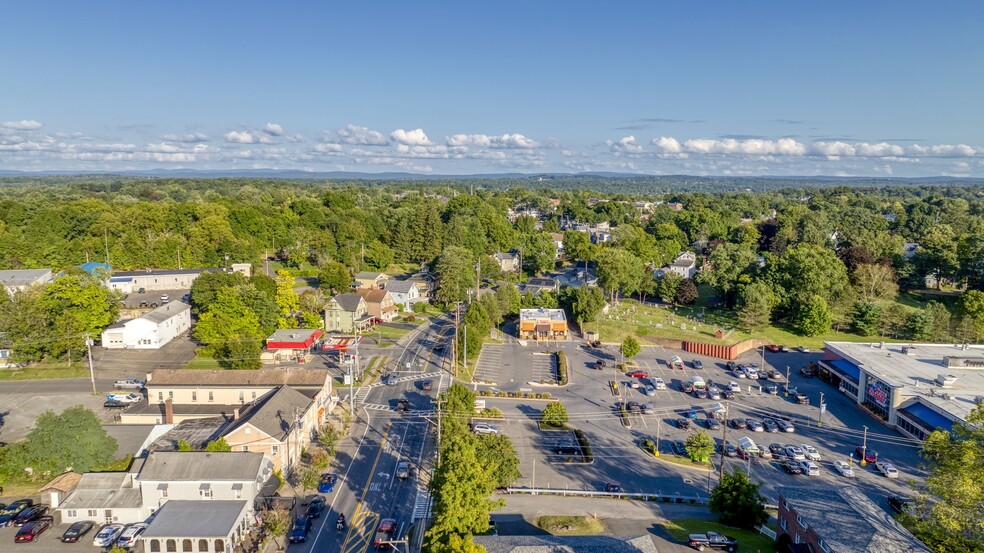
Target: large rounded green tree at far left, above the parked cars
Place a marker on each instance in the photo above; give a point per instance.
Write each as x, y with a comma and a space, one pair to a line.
72, 440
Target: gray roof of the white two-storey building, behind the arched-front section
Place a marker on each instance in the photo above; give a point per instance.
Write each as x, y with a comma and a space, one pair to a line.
194, 466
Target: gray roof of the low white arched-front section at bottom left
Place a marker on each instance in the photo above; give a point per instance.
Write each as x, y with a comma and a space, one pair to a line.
196, 519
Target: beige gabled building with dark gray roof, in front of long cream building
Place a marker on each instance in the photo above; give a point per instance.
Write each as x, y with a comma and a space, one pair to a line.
280, 425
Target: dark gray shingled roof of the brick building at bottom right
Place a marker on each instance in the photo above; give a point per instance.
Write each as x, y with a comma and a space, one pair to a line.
849, 522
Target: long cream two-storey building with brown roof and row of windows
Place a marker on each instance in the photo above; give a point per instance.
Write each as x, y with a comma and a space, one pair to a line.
174, 396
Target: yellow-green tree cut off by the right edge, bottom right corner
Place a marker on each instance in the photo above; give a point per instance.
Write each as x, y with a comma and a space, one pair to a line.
956, 470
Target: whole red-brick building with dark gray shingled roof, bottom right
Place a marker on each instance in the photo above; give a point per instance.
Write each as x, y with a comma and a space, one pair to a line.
838, 520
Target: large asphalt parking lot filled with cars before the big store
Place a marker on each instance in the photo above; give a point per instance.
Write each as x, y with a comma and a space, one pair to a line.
618, 457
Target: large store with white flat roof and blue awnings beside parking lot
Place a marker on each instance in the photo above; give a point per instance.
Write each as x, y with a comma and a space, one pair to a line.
915, 388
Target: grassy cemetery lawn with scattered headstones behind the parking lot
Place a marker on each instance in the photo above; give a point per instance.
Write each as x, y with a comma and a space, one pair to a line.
699, 324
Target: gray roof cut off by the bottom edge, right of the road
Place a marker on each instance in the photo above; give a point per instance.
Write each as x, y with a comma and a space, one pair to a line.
567, 544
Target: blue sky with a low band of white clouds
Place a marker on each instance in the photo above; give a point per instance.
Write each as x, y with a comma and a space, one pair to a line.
706, 88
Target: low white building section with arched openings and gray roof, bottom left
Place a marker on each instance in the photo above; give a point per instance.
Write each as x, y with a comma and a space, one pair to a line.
198, 526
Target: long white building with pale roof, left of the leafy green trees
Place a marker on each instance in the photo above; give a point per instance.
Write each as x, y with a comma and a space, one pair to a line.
150, 331
